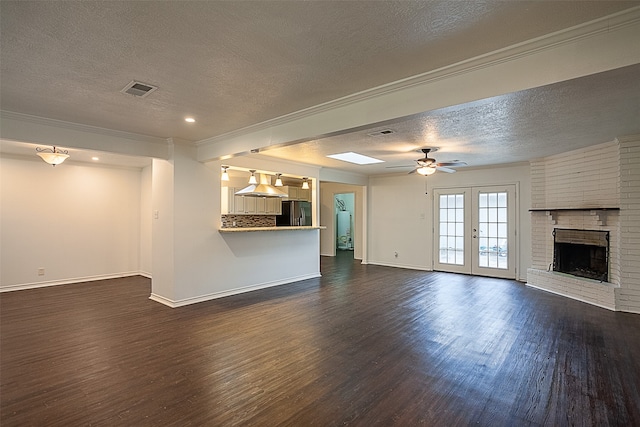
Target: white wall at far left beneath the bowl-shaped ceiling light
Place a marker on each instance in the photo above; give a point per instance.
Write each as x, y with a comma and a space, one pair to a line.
77, 221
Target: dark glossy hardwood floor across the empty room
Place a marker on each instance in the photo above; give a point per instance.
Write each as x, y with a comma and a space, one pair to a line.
362, 346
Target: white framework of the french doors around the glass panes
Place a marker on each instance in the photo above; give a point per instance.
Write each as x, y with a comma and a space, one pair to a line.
471, 244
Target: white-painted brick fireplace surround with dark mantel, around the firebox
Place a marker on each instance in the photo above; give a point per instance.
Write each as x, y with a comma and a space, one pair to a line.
596, 188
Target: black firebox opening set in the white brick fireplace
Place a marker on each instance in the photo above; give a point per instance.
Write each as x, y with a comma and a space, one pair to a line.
582, 253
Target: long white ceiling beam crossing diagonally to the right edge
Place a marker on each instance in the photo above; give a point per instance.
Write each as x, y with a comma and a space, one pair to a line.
598, 46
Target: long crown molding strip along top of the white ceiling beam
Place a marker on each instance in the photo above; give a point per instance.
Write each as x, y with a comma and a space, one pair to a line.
530, 47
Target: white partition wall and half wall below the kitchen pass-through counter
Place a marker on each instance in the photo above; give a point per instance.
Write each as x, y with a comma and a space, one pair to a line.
201, 263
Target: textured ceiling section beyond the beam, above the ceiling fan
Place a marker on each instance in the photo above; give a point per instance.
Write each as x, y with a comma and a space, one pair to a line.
505, 129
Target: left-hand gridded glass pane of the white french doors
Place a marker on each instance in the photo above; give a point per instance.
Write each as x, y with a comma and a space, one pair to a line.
451, 247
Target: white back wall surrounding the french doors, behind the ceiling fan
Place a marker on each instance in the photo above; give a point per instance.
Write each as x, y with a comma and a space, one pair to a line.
400, 214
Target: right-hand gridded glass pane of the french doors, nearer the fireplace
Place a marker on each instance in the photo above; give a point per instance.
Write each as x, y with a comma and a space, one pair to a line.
492, 230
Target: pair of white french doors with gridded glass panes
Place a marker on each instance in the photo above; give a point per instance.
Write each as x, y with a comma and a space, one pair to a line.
475, 230
